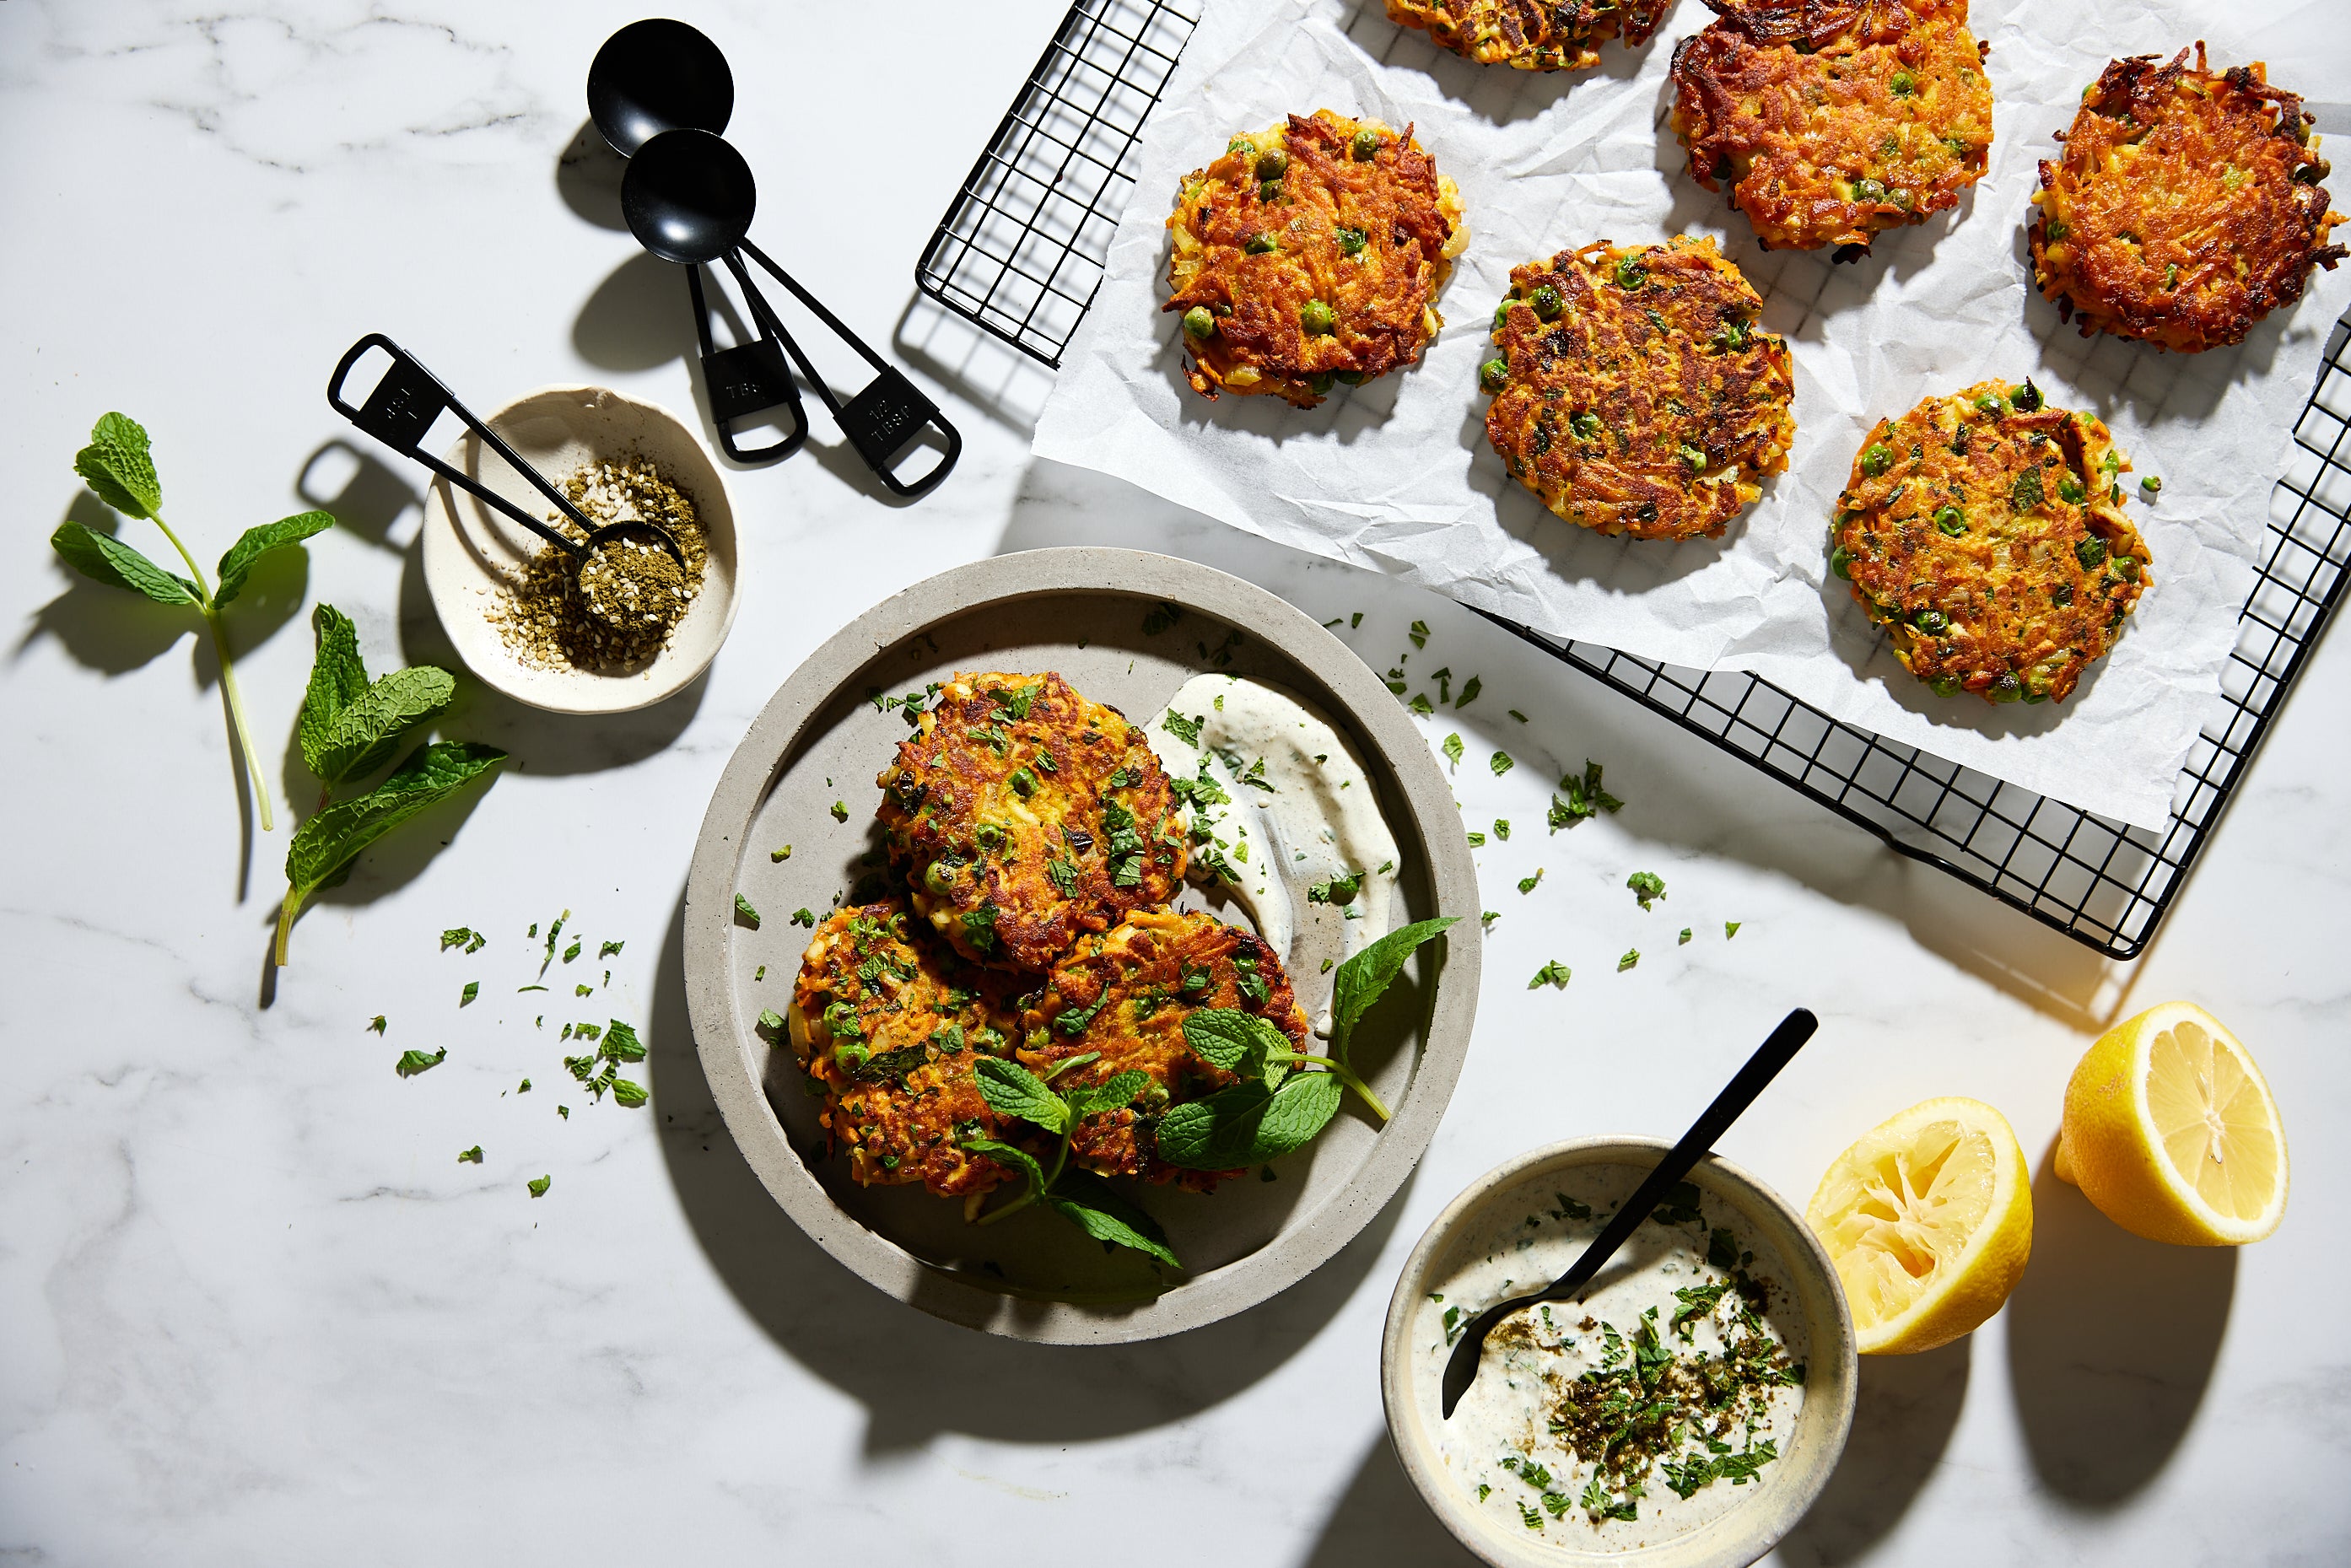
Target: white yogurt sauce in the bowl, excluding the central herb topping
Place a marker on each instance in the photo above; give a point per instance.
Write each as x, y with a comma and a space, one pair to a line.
1503, 1430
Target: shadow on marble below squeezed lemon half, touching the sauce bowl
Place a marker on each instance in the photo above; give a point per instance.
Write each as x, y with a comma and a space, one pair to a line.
1901, 1428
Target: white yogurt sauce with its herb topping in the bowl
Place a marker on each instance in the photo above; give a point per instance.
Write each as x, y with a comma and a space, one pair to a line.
1640, 1414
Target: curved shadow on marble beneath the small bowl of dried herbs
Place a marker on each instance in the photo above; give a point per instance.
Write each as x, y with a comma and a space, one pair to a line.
549, 744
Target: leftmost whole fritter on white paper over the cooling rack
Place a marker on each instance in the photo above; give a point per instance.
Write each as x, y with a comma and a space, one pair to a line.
1311, 253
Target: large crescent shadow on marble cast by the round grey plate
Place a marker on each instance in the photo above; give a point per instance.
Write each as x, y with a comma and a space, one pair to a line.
916, 1374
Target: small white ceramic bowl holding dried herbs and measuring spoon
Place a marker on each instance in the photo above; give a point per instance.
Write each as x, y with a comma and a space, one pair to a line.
471, 551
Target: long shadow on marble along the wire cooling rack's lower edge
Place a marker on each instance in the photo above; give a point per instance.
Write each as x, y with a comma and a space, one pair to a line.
1687, 791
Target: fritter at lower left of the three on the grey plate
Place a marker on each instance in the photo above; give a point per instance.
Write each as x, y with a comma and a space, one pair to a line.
890, 1024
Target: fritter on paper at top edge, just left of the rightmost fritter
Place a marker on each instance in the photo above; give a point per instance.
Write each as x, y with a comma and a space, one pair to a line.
1835, 119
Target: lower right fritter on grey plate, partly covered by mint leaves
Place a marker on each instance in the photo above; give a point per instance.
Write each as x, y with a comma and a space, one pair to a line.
1125, 996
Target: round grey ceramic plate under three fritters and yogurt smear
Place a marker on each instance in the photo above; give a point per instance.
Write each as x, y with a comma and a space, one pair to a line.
822, 742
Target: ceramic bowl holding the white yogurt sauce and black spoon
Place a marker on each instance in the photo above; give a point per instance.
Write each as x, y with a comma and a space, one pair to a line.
1781, 1494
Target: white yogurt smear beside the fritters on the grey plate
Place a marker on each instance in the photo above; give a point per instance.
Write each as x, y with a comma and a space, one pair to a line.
1299, 808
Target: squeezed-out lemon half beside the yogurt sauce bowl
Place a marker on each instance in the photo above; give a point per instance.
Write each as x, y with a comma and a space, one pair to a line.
1929, 1221
